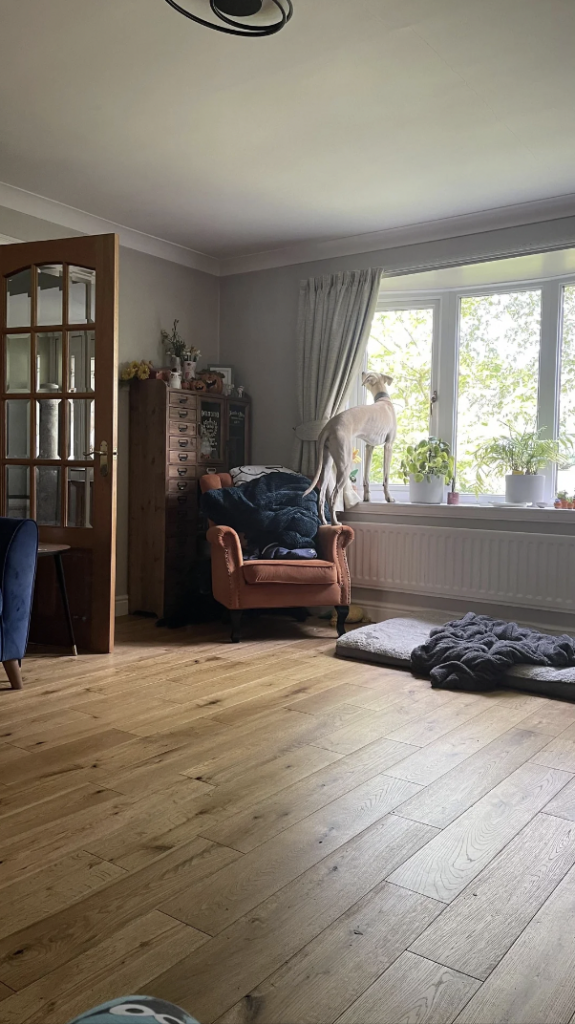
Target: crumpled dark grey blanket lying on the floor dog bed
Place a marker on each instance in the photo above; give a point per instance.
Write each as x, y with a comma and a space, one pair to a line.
474, 653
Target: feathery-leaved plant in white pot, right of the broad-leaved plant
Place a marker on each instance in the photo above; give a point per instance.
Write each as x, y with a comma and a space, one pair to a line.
521, 456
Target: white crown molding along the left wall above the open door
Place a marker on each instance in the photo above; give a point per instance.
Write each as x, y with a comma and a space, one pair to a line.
86, 224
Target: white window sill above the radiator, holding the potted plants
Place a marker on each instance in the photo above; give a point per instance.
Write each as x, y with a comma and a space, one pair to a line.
466, 513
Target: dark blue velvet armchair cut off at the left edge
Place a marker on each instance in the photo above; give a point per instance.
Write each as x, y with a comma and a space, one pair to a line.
19, 553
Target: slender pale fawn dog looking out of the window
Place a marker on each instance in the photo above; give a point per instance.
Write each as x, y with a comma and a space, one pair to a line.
375, 424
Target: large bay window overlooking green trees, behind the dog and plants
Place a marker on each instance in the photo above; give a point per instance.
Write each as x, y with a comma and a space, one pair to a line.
491, 358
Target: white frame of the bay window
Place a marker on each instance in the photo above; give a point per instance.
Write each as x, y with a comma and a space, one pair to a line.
446, 364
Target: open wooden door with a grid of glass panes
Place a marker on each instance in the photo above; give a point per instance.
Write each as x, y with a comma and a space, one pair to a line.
59, 394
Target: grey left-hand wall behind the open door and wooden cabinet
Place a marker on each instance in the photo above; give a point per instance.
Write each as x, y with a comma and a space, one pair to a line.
153, 293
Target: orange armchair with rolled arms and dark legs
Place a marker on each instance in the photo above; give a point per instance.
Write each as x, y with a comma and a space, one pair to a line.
278, 584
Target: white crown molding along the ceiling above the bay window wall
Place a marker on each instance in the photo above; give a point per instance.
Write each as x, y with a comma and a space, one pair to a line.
433, 231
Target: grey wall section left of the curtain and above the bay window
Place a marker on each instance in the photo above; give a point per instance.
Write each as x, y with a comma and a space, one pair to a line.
259, 317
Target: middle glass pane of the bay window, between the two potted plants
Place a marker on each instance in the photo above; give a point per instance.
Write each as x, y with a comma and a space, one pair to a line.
500, 337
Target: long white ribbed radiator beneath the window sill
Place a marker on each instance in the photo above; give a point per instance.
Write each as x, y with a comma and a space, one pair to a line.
528, 570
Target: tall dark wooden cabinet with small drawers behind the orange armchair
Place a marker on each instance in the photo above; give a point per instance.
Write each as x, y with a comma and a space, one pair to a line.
175, 437
